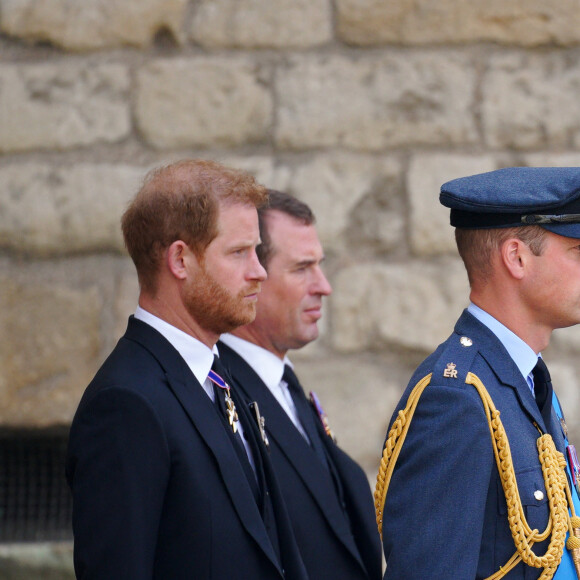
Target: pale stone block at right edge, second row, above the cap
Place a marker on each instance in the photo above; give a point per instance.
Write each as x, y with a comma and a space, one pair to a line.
530, 101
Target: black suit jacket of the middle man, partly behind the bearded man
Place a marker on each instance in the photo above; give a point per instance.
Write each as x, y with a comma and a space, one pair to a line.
337, 535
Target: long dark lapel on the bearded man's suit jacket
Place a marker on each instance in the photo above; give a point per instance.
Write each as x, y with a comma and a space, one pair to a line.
205, 421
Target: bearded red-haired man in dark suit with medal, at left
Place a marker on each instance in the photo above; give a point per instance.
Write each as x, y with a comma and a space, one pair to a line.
168, 470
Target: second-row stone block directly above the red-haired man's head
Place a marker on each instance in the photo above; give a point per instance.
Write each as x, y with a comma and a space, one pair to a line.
202, 102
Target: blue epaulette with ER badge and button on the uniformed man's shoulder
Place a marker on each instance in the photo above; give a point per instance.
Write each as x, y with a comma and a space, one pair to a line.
454, 362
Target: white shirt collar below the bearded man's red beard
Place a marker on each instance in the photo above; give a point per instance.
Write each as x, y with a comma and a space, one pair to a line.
197, 355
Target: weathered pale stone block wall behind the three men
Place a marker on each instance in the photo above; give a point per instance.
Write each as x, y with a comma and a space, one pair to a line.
360, 107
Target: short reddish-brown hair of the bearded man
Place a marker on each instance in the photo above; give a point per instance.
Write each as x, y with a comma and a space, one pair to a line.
180, 202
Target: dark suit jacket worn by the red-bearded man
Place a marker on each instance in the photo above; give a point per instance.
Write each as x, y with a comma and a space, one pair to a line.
159, 492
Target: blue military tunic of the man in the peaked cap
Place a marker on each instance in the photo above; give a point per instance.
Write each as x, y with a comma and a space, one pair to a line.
445, 513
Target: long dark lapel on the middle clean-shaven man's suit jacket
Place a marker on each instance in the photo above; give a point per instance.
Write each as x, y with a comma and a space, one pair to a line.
296, 450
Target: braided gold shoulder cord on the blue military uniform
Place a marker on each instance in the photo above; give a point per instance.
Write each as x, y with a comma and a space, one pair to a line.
553, 469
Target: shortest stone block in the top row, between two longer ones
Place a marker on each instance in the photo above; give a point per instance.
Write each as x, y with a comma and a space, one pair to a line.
262, 23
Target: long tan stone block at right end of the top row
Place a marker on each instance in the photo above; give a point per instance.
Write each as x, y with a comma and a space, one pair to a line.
530, 23
